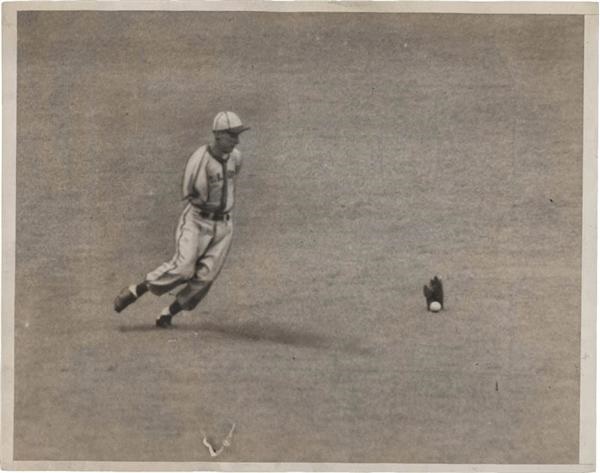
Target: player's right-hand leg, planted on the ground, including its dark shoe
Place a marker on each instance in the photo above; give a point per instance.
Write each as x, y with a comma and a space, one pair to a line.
208, 268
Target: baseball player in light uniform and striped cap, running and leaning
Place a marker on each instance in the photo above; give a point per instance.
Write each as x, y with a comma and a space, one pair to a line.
204, 231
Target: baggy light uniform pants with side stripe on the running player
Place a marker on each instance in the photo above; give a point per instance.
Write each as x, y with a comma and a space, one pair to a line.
202, 245
